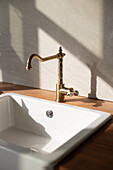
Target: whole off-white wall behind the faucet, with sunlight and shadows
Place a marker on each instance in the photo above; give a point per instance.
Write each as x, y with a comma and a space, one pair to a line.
84, 29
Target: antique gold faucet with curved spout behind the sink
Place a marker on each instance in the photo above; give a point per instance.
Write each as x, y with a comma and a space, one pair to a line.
61, 90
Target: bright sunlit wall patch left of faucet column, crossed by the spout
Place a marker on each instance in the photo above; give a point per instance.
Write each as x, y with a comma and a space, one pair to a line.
48, 71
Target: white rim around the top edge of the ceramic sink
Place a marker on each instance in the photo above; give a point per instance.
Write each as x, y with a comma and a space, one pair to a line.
66, 148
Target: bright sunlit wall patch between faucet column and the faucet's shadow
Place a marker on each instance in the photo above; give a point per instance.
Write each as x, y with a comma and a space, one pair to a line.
76, 74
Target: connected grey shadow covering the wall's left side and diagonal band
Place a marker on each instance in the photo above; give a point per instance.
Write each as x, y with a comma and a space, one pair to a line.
32, 19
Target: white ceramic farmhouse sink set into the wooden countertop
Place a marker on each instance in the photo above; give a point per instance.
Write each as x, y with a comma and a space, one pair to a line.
35, 134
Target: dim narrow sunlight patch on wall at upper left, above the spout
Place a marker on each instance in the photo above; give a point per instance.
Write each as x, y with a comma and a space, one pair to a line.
16, 31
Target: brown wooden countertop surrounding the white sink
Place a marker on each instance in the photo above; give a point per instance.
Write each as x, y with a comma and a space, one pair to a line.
94, 153
